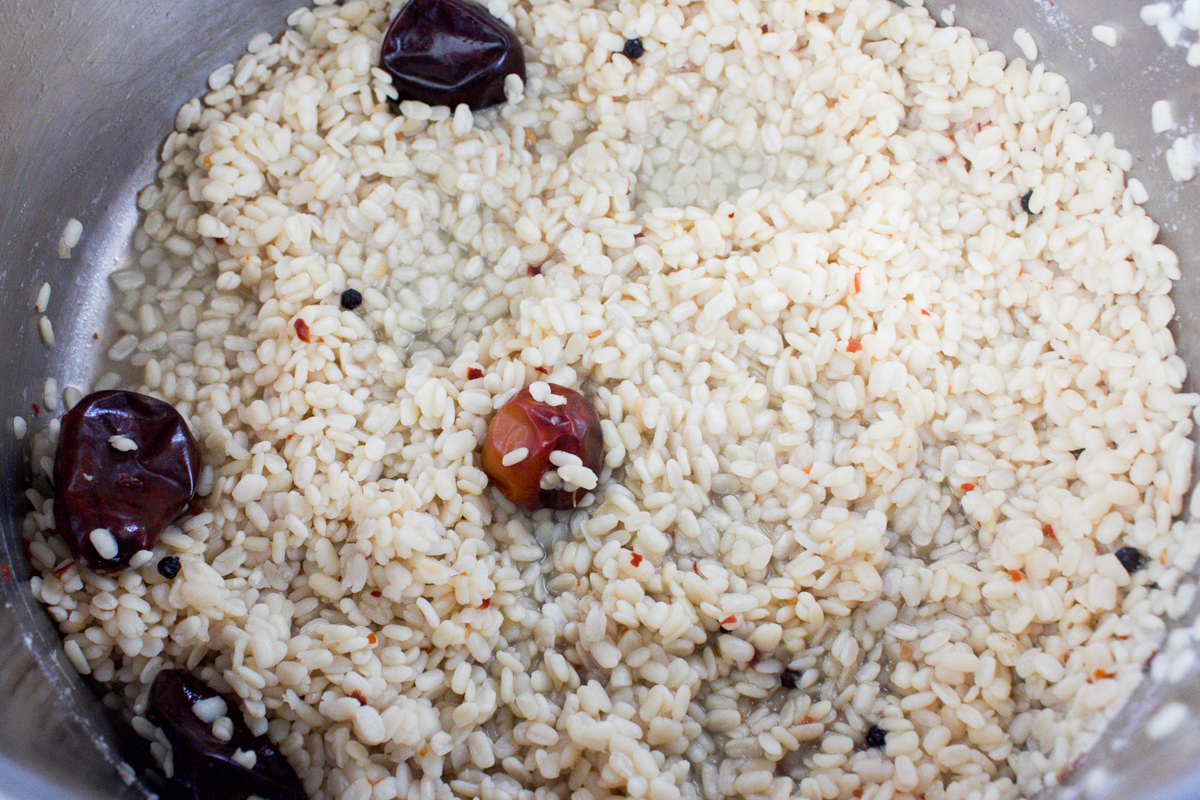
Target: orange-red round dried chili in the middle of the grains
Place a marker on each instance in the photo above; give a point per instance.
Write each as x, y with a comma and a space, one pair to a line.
542, 429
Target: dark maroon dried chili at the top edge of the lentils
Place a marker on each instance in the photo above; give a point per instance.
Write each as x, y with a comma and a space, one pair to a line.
451, 52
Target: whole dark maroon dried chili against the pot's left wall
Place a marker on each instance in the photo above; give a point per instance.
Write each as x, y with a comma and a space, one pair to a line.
134, 495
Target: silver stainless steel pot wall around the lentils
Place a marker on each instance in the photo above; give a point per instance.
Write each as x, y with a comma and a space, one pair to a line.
89, 89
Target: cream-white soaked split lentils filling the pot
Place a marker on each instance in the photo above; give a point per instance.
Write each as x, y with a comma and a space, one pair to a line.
873, 431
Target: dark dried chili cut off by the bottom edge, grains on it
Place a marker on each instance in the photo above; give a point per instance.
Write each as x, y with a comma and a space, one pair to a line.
205, 766
